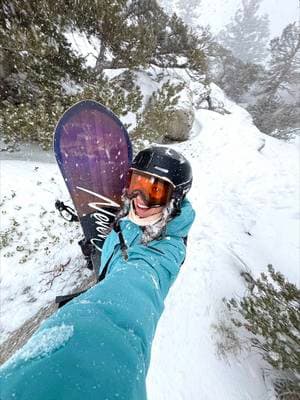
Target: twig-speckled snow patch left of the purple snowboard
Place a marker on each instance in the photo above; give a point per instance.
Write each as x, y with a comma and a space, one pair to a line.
40, 257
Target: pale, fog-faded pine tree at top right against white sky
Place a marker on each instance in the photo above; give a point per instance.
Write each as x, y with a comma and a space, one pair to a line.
247, 33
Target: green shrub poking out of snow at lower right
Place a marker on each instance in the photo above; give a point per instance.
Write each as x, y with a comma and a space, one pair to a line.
270, 315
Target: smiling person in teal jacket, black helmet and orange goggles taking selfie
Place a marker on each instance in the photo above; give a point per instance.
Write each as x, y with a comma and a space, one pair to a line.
98, 345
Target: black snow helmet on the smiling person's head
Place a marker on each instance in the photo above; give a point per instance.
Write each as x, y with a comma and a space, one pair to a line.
166, 164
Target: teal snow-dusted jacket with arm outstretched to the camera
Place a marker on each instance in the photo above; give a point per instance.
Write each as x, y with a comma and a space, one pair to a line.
98, 345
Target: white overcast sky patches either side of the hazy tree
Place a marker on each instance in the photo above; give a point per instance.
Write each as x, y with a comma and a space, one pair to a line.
281, 12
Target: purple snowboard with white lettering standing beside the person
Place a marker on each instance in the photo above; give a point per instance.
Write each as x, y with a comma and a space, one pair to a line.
94, 153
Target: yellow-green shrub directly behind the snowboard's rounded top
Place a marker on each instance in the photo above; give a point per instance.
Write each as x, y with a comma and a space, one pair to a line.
35, 122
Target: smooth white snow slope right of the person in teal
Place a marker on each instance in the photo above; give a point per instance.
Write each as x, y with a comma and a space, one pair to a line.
237, 190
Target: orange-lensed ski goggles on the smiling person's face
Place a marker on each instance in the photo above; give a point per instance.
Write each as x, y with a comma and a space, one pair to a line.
154, 190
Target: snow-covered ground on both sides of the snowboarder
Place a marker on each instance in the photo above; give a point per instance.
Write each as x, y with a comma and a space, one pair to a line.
247, 202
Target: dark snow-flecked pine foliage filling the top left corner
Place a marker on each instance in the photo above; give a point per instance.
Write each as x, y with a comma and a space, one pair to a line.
34, 53
